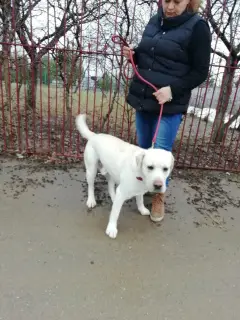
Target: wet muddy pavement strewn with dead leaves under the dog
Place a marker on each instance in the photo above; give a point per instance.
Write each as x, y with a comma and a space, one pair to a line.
57, 263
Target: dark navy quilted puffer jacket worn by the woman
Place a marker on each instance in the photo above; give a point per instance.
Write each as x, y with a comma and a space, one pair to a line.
173, 52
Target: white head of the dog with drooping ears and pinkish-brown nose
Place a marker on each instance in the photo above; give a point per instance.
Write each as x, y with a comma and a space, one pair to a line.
155, 165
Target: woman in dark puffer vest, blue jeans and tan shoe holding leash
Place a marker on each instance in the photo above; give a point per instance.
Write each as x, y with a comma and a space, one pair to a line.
174, 55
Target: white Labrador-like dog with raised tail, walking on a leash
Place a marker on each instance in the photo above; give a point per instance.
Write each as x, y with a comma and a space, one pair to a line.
135, 170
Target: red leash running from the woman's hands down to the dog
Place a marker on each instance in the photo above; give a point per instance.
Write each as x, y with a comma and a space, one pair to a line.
122, 42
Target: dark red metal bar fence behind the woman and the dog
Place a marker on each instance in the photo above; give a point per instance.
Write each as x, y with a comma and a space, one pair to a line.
57, 60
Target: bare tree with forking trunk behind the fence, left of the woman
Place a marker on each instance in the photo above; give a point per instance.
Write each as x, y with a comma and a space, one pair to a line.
66, 16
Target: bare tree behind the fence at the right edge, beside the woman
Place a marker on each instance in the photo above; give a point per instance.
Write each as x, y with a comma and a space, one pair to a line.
224, 19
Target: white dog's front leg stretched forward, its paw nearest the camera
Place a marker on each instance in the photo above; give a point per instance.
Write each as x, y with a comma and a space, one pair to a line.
119, 199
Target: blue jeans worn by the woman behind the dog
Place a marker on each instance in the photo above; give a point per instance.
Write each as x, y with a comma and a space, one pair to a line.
146, 125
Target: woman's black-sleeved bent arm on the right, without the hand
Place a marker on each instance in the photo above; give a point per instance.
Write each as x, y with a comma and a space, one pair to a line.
199, 52
